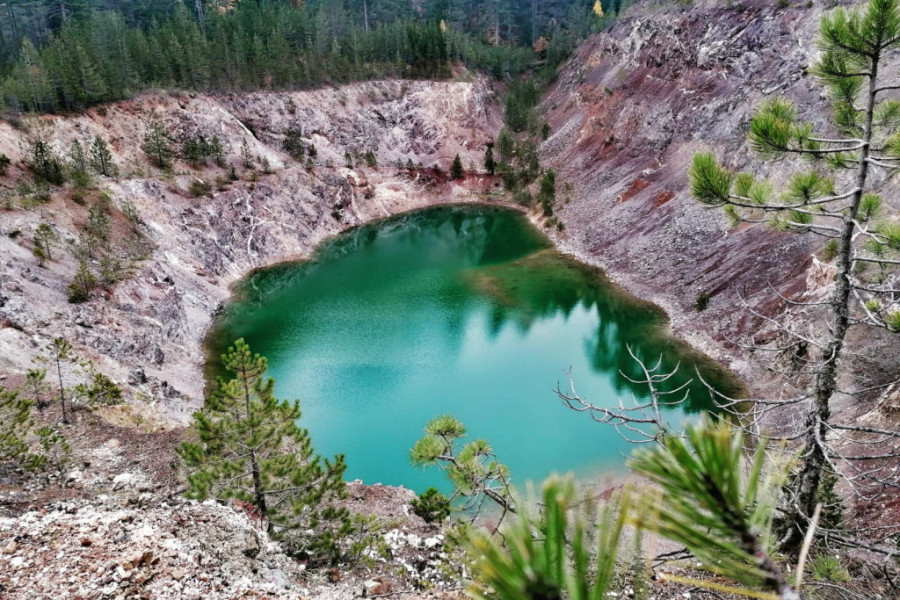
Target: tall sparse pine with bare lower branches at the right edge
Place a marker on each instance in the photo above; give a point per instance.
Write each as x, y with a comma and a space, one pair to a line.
855, 47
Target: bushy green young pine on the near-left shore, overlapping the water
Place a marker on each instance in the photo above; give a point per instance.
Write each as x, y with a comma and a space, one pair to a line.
250, 447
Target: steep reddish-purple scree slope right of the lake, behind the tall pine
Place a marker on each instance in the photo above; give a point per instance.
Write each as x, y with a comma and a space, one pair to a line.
629, 111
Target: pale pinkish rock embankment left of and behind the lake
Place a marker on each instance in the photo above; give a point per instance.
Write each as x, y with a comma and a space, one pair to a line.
146, 332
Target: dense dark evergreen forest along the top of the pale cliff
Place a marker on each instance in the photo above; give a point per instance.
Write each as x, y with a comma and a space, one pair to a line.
109, 51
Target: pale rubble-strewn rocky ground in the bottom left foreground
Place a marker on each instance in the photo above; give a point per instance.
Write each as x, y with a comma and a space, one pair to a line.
175, 548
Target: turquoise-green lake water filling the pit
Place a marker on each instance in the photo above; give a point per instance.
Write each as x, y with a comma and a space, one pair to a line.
462, 310
